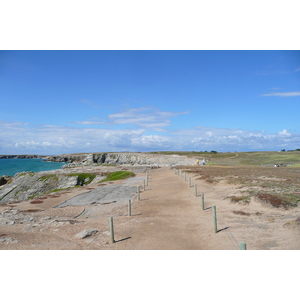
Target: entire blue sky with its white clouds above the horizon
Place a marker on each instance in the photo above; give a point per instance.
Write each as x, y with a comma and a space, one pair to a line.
55, 102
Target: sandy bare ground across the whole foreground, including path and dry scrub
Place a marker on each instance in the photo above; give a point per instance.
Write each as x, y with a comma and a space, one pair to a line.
169, 215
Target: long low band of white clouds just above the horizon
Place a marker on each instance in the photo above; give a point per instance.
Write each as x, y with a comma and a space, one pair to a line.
50, 139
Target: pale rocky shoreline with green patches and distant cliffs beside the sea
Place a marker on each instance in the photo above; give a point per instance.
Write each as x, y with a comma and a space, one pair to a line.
81, 169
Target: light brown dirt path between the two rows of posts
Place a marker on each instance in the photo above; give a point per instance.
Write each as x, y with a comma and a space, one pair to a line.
168, 217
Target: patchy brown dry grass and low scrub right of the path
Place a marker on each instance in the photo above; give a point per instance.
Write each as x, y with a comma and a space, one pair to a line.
278, 186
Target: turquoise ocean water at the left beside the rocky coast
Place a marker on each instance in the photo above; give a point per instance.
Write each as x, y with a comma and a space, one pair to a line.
15, 165
